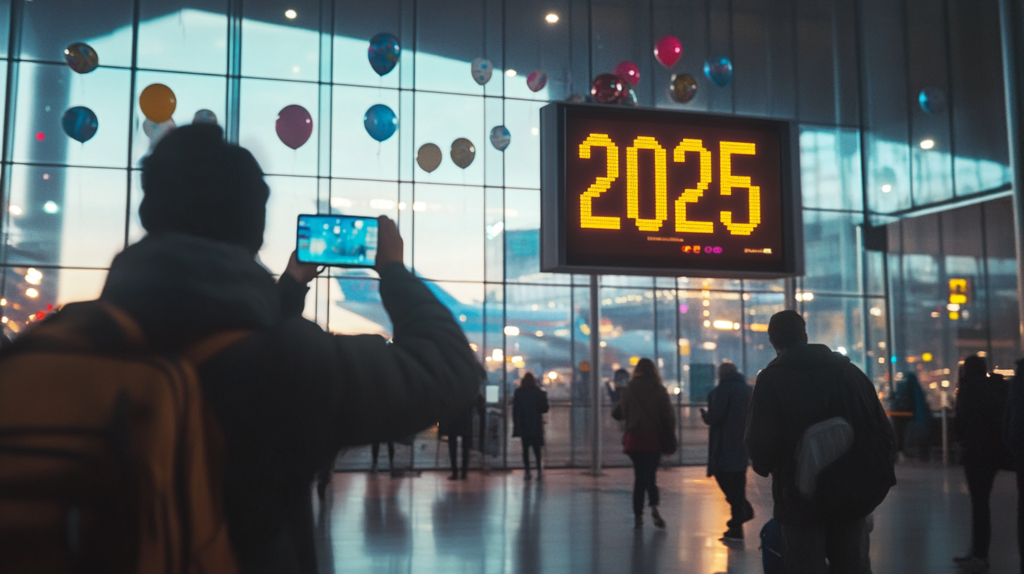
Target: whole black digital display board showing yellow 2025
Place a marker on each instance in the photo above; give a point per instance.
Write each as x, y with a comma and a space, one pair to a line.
667, 193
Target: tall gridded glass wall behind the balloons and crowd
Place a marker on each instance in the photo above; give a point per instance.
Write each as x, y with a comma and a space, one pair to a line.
473, 232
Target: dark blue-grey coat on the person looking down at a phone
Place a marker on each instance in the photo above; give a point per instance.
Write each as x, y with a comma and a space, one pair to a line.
727, 416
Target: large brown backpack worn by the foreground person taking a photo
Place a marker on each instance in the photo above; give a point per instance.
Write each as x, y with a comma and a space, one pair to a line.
110, 460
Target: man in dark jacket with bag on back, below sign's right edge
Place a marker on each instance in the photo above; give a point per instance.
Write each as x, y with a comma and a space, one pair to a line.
791, 394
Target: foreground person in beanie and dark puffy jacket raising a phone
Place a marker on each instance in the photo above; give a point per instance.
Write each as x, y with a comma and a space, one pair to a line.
289, 395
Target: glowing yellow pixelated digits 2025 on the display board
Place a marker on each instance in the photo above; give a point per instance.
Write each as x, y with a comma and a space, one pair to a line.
690, 196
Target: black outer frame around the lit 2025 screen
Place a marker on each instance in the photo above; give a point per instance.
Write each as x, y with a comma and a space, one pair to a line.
556, 247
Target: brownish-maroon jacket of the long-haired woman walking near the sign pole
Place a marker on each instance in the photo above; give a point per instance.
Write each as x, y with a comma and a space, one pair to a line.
647, 411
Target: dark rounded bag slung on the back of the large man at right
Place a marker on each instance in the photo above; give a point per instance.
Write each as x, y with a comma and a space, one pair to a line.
852, 487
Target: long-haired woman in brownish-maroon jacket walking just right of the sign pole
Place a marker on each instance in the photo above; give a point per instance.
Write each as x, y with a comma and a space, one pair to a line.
648, 414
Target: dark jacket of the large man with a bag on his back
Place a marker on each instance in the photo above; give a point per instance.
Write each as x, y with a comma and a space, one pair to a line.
791, 394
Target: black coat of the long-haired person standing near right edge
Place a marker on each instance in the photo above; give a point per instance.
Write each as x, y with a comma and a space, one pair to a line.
980, 405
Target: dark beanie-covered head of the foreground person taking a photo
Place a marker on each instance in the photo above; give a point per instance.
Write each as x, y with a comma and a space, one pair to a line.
199, 185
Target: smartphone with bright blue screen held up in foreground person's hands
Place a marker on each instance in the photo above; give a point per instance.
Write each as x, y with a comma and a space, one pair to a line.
340, 241
